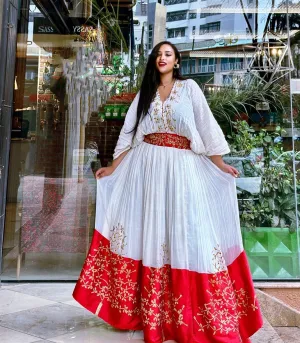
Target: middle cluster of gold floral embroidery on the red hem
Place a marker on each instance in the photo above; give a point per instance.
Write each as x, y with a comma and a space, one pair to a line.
159, 304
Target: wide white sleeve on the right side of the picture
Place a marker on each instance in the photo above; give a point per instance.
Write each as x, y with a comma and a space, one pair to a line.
206, 124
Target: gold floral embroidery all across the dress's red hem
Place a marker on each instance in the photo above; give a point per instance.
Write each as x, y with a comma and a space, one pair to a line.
116, 279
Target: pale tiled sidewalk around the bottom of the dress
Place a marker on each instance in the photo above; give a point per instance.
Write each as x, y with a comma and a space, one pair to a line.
40, 312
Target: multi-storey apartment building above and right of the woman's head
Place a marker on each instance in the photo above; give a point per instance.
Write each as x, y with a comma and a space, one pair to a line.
210, 34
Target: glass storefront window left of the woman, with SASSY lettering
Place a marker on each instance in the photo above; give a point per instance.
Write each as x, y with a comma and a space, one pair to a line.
59, 137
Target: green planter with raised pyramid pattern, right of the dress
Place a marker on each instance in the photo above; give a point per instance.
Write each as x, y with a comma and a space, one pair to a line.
272, 253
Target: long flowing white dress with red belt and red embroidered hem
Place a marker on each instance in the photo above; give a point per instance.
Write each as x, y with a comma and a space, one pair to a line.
167, 255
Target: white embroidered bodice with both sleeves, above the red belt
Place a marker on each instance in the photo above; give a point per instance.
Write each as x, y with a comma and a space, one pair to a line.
185, 112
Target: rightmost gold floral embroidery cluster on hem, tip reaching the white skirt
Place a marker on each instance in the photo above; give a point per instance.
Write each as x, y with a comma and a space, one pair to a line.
226, 305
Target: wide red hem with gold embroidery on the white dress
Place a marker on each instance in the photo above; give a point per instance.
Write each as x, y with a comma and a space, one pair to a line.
130, 296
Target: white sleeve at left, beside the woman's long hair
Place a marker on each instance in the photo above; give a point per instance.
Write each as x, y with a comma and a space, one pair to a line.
126, 135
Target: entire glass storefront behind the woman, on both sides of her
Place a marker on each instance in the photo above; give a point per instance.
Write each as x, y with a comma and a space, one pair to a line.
71, 93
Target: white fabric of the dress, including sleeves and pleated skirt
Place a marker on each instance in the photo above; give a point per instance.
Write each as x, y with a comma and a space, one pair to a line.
166, 205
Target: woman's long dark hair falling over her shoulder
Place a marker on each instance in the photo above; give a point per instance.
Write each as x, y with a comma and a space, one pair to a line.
151, 81
